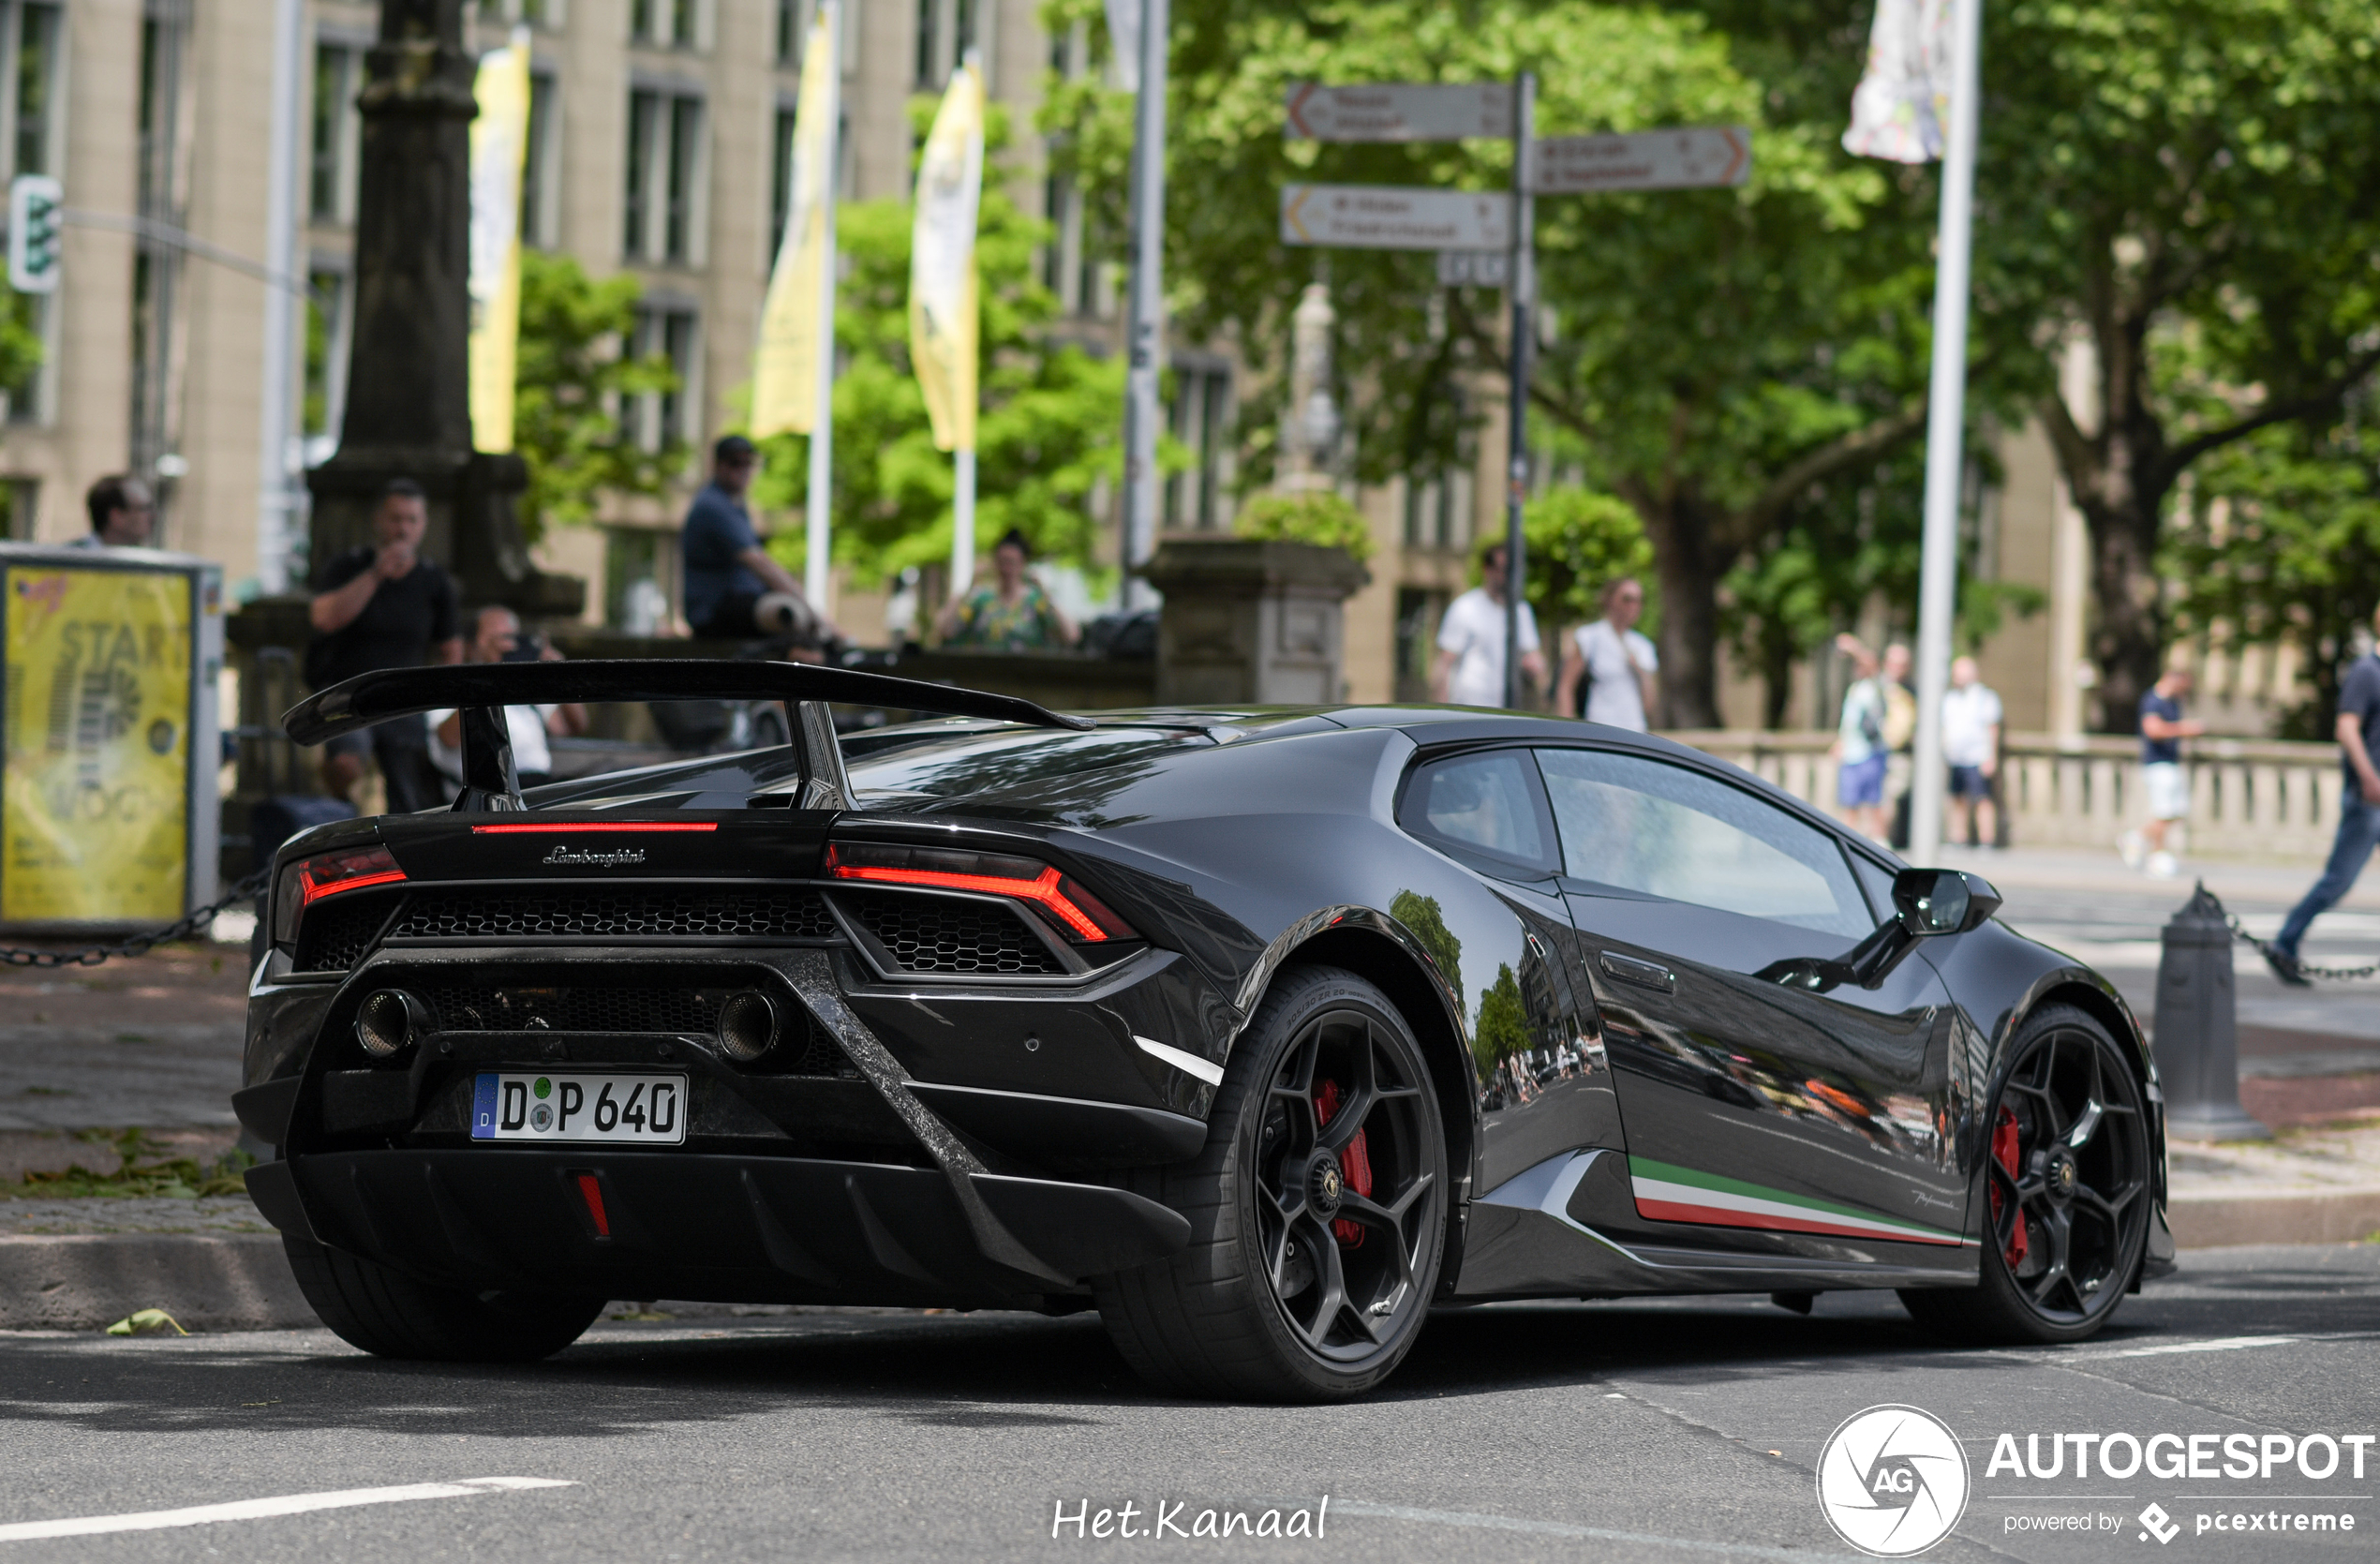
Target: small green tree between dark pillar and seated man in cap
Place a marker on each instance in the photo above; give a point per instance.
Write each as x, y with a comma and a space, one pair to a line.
570, 384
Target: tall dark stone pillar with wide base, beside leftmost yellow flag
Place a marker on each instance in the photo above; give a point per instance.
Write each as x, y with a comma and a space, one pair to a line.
408, 373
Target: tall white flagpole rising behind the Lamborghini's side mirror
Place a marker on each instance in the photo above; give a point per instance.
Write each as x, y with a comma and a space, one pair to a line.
1946, 425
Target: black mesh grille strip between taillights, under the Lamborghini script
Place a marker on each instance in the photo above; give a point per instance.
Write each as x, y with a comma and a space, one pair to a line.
615, 915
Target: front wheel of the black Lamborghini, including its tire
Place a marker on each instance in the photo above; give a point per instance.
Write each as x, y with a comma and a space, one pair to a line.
2067, 1170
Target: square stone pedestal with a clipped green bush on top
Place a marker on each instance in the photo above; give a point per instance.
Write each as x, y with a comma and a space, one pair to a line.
1251, 623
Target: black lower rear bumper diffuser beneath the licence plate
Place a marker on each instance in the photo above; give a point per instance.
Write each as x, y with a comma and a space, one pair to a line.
729, 1230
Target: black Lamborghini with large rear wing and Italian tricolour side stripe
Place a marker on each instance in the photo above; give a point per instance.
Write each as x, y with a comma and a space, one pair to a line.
1258, 1032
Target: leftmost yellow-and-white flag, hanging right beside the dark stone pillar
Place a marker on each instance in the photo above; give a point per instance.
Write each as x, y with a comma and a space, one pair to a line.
499, 158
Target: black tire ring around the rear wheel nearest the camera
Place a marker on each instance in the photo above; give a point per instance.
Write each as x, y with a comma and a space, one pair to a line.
1284, 1018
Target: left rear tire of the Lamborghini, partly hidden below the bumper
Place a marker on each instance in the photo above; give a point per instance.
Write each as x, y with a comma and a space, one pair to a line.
392, 1315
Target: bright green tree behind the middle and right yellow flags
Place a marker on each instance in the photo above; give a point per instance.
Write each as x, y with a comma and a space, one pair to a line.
1048, 425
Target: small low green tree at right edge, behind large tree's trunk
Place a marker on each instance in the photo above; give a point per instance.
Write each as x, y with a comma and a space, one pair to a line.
2281, 546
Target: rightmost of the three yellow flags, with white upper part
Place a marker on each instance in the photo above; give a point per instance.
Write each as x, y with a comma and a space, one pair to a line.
944, 263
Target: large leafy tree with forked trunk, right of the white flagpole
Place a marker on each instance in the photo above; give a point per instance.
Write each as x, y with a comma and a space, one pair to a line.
2193, 189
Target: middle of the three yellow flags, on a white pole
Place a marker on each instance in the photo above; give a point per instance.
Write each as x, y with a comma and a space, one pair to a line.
796, 318
